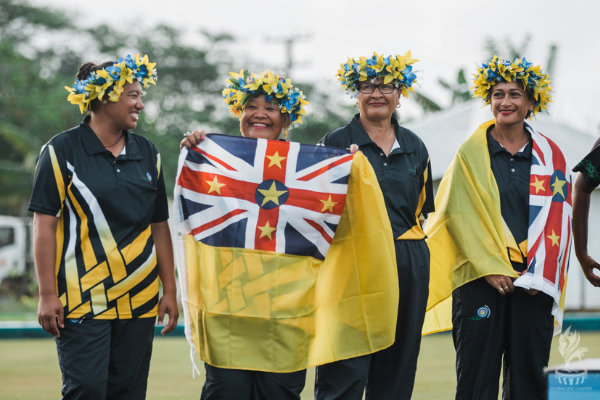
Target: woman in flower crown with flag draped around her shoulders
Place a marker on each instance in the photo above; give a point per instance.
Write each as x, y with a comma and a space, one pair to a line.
500, 240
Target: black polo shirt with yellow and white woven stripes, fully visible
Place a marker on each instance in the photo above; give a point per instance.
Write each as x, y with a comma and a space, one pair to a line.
106, 259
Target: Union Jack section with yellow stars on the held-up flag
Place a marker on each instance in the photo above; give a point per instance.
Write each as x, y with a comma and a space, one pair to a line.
264, 195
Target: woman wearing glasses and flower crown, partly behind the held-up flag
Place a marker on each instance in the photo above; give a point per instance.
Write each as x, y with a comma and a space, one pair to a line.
401, 163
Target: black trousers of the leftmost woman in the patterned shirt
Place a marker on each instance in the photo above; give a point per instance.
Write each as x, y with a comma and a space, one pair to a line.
105, 359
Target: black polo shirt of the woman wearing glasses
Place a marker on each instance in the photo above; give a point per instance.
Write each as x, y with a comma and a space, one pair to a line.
404, 175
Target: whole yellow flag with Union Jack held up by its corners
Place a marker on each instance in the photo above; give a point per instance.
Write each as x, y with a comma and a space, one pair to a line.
285, 254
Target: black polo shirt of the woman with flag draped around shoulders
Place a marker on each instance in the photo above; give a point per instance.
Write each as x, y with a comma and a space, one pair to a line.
512, 177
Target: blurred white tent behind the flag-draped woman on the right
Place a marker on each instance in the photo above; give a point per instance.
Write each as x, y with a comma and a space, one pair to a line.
445, 131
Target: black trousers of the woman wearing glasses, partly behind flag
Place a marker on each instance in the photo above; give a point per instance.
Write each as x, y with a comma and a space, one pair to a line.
389, 373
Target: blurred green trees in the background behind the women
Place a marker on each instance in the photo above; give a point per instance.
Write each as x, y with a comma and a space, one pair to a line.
35, 66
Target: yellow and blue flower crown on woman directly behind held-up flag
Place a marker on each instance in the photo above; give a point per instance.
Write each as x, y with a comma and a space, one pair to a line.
241, 88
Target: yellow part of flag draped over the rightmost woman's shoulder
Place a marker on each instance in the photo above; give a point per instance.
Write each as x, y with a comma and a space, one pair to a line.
467, 236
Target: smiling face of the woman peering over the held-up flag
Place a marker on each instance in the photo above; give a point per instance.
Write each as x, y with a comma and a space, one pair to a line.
261, 119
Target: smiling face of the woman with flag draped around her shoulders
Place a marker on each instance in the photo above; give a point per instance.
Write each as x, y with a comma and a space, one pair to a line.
510, 103
